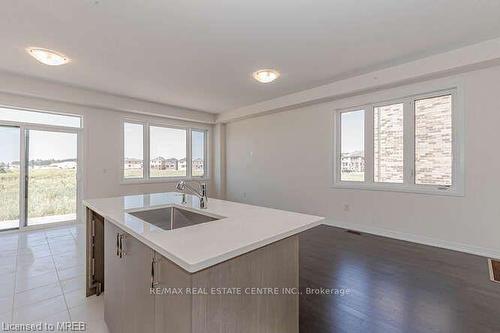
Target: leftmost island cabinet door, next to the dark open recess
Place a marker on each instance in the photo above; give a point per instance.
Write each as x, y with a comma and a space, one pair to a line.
113, 275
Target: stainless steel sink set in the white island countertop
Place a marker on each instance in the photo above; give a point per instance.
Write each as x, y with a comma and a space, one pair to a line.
169, 218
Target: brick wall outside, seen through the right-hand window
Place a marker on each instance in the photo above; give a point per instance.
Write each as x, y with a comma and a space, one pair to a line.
433, 142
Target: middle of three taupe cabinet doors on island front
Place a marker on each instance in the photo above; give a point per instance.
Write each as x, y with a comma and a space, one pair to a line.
138, 302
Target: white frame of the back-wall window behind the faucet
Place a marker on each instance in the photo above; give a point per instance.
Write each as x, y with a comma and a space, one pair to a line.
147, 179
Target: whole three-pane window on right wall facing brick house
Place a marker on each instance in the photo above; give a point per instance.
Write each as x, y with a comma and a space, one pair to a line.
412, 144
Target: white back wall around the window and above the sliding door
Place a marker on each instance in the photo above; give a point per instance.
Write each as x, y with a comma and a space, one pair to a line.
102, 145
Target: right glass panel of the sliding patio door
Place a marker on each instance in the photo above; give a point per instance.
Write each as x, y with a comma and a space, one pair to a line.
52, 167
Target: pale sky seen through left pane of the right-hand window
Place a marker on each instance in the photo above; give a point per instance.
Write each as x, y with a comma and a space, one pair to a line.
352, 132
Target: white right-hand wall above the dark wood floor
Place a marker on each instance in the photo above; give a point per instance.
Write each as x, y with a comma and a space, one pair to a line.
283, 160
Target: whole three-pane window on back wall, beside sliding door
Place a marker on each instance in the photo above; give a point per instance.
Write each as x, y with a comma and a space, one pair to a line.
164, 150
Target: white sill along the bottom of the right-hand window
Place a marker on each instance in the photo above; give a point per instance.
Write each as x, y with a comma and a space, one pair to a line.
452, 192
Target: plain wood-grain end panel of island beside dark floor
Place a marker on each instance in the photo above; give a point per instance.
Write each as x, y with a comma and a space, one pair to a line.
273, 266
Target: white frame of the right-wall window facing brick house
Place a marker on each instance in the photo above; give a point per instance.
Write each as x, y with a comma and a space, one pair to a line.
408, 185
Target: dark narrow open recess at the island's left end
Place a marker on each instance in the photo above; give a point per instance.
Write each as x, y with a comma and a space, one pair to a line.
94, 252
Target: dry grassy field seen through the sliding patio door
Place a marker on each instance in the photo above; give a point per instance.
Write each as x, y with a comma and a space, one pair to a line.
51, 192
